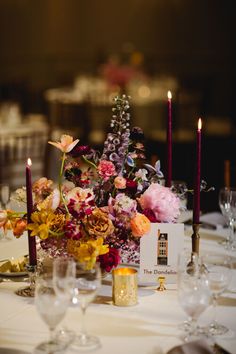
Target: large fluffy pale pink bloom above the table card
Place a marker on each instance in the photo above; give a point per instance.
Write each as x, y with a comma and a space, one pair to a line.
162, 202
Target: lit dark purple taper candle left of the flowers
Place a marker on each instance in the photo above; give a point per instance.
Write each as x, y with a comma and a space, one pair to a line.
31, 239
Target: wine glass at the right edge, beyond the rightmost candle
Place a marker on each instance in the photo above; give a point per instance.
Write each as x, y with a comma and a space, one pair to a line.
227, 203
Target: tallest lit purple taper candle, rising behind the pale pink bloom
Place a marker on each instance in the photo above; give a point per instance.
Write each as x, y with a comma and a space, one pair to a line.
169, 142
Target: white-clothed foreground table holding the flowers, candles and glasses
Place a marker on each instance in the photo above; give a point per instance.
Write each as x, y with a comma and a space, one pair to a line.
150, 327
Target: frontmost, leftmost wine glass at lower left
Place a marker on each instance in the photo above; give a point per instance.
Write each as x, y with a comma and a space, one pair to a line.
52, 309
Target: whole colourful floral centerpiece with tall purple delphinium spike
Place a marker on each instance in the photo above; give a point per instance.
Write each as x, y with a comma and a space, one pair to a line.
103, 202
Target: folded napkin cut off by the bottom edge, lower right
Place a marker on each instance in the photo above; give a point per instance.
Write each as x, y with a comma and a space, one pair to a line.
195, 347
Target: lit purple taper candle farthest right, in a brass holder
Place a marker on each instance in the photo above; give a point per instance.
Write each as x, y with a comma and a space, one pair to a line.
197, 184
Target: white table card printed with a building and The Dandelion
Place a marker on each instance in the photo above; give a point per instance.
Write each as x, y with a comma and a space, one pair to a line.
159, 251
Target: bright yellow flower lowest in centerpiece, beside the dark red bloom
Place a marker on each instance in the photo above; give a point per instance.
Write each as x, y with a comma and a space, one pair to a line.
87, 252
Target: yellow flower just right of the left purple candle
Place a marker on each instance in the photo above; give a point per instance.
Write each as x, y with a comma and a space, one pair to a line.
46, 223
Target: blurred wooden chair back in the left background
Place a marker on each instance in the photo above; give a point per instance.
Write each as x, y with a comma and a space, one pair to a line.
15, 149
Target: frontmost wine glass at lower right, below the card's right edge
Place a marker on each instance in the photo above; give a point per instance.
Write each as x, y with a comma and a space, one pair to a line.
194, 297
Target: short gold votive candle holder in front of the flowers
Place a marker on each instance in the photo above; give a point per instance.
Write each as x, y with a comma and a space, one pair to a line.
124, 287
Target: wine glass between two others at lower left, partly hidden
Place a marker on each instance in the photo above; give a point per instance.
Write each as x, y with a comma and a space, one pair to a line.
64, 271
